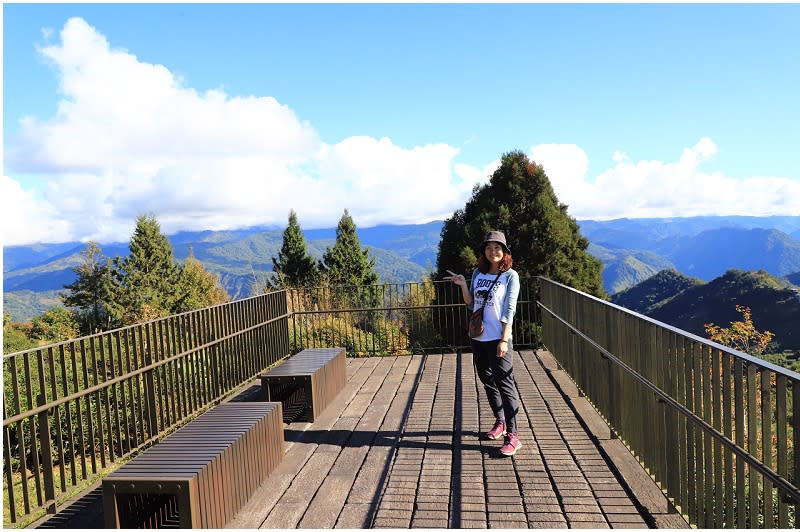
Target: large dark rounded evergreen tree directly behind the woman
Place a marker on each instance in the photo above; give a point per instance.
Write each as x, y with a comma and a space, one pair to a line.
544, 240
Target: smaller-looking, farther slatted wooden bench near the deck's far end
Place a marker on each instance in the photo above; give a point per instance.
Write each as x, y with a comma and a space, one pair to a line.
307, 382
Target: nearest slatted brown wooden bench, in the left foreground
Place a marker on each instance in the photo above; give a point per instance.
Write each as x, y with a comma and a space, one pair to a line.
201, 475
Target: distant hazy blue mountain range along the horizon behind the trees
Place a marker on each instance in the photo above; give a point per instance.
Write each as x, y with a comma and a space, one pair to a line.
632, 250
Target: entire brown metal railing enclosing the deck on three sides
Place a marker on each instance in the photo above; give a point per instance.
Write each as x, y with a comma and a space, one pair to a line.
715, 427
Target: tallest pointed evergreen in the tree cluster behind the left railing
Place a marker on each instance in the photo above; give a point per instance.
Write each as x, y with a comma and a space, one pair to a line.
145, 282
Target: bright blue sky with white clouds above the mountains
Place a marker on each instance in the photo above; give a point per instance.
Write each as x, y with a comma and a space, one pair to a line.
221, 116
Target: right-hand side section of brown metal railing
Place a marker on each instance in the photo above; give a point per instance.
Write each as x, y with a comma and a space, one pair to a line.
714, 426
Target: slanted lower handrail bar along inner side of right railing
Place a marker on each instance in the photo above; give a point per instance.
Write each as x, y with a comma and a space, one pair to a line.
790, 489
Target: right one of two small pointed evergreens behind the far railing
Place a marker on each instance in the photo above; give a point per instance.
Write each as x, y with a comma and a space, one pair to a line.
347, 263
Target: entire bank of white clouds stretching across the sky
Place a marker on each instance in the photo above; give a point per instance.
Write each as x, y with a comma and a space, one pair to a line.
130, 137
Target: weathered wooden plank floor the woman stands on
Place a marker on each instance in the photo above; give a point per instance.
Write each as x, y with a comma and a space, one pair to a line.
402, 447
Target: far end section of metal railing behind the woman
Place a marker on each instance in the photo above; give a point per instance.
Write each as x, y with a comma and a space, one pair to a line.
396, 318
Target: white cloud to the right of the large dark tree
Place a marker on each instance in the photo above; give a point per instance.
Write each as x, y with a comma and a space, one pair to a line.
662, 189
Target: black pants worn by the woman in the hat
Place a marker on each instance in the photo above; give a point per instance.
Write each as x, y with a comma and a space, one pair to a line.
497, 376
